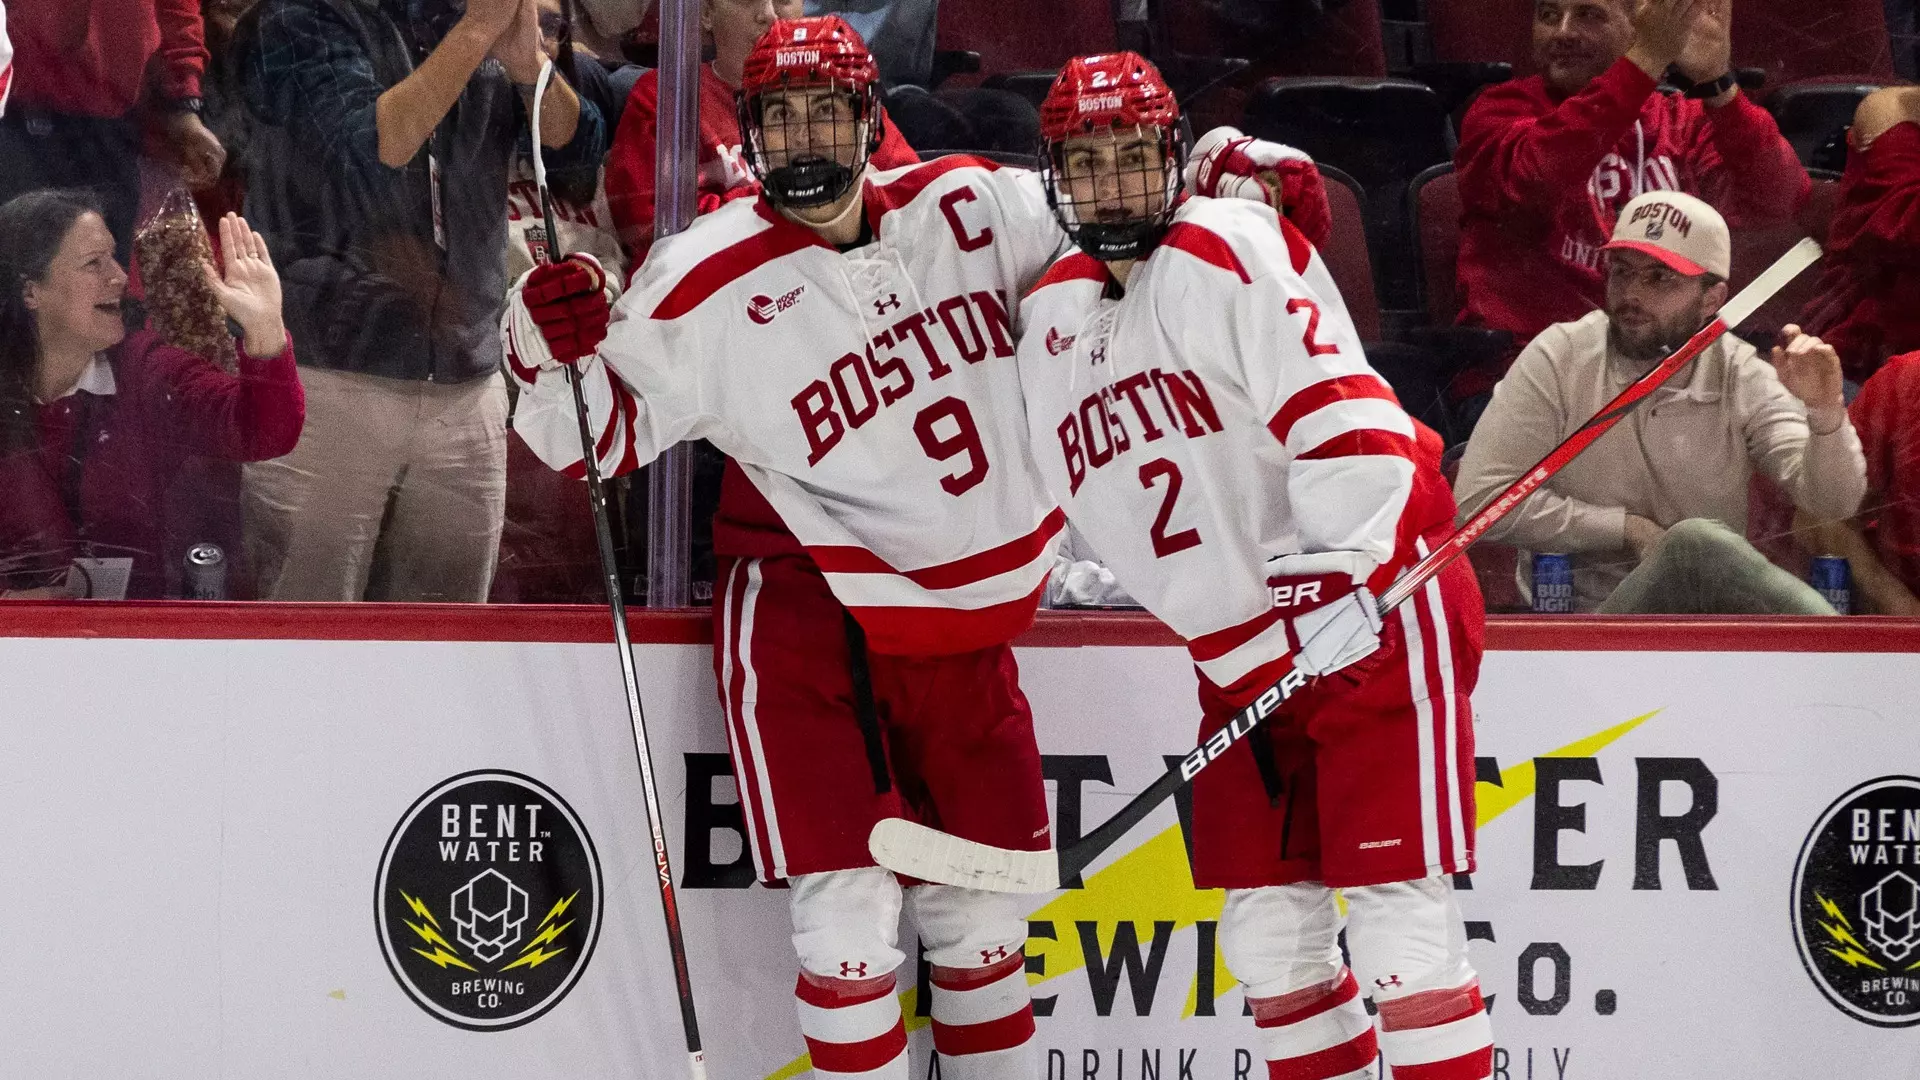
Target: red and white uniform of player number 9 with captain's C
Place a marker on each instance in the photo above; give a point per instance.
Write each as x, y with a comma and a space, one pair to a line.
871, 406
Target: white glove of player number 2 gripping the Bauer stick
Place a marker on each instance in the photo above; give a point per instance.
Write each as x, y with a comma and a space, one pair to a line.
1332, 616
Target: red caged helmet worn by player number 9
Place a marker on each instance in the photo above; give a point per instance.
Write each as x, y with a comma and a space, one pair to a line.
807, 151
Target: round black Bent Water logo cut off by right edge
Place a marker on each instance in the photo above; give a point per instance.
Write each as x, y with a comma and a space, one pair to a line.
1858, 902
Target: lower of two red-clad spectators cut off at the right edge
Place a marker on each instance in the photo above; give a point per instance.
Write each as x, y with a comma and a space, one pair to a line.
1883, 543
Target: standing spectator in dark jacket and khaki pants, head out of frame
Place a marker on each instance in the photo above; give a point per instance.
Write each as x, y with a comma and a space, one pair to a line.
383, 145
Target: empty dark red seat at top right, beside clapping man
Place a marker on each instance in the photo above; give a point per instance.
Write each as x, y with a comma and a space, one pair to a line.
1804, 39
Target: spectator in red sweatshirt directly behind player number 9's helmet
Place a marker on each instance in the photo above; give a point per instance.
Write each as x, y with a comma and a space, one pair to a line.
723, 174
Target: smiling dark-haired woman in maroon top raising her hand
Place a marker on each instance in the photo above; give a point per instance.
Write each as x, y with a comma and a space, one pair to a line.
97, 422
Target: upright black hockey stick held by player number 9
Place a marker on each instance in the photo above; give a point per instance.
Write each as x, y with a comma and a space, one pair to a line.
617, 604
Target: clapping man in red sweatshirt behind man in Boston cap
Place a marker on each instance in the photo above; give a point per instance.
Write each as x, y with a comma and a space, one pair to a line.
1550, 160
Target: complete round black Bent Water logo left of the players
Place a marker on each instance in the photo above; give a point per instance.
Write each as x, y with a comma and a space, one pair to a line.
489, 902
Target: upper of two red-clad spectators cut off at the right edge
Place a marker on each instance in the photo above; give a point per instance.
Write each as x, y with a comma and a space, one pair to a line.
1869, 305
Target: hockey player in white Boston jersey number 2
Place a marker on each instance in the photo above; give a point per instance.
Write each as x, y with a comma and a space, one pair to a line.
1201, 406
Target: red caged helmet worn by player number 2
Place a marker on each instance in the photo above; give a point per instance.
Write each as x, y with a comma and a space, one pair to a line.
1111, 193
